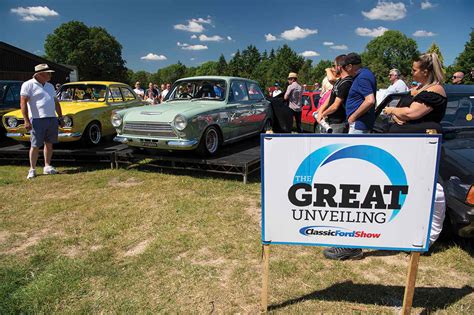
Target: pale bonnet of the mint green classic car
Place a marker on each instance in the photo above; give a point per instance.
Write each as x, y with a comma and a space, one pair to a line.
167, 111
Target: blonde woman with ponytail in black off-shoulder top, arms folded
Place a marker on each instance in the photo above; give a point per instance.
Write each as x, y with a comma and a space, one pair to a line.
425, 106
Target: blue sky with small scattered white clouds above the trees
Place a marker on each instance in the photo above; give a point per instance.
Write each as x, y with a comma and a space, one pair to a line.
155, 34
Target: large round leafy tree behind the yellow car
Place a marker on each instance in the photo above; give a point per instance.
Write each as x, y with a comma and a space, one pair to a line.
96, 53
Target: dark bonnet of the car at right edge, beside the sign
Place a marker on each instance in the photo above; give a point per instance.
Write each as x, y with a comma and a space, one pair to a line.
460, 153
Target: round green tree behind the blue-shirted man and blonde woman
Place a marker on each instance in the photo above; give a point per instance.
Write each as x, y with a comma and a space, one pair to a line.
391, 50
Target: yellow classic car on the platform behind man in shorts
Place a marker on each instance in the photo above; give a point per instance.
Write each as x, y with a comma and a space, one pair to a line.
86, 108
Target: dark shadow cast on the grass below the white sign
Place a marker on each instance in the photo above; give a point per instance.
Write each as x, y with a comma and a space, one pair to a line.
375, 294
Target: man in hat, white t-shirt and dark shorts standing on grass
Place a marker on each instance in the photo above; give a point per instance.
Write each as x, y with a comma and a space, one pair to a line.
39, 106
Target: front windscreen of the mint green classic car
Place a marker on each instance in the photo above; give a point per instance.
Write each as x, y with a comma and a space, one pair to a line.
198, 90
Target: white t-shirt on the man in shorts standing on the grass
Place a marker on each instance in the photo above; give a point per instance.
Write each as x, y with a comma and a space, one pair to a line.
40, 99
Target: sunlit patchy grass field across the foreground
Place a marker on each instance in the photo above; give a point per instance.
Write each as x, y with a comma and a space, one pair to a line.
136, 241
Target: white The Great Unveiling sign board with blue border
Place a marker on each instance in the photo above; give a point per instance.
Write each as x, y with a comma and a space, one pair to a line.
349, 190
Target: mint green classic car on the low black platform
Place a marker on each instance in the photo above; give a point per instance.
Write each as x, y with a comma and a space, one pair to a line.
199, 113
